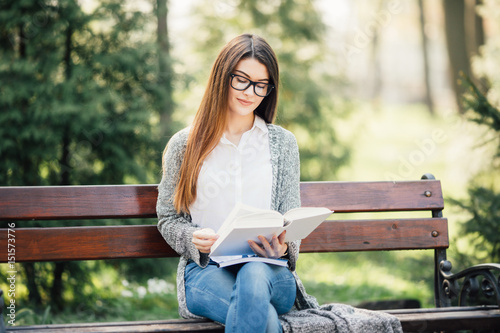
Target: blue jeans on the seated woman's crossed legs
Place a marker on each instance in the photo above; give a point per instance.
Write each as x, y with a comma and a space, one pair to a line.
245, 298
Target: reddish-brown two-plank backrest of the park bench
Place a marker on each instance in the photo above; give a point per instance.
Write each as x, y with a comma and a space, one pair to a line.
144, 241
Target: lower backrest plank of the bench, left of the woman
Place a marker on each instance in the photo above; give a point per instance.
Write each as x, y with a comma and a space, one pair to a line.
87, 243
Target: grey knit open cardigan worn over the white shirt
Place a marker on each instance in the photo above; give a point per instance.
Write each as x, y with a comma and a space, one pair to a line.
177, 229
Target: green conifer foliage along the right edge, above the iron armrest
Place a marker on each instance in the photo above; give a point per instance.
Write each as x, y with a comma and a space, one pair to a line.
483, 203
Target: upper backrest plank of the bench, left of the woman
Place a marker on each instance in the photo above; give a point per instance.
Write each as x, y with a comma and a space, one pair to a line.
77, 202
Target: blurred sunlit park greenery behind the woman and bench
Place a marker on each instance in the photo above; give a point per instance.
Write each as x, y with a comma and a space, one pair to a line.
90, 92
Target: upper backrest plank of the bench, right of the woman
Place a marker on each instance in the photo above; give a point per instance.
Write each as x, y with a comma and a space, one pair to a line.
344, 197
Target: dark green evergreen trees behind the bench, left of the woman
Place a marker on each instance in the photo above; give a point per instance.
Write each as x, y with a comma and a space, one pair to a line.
81, 96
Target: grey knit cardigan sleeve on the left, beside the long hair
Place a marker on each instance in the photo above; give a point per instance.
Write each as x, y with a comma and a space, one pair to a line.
177, 229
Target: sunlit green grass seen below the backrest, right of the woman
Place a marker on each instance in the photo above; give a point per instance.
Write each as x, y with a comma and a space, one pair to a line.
352, 278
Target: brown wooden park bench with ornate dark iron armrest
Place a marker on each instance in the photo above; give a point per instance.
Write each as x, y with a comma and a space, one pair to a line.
144, 241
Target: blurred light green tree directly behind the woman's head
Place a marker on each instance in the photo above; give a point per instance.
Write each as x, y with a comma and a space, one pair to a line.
309, 100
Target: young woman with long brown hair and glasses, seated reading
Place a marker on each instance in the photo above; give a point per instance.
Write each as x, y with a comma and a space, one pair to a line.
233, 153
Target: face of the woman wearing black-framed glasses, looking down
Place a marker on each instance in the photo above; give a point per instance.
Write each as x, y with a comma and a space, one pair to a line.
244, 102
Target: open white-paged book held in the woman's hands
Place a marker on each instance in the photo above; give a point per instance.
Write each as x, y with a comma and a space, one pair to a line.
247, 223
